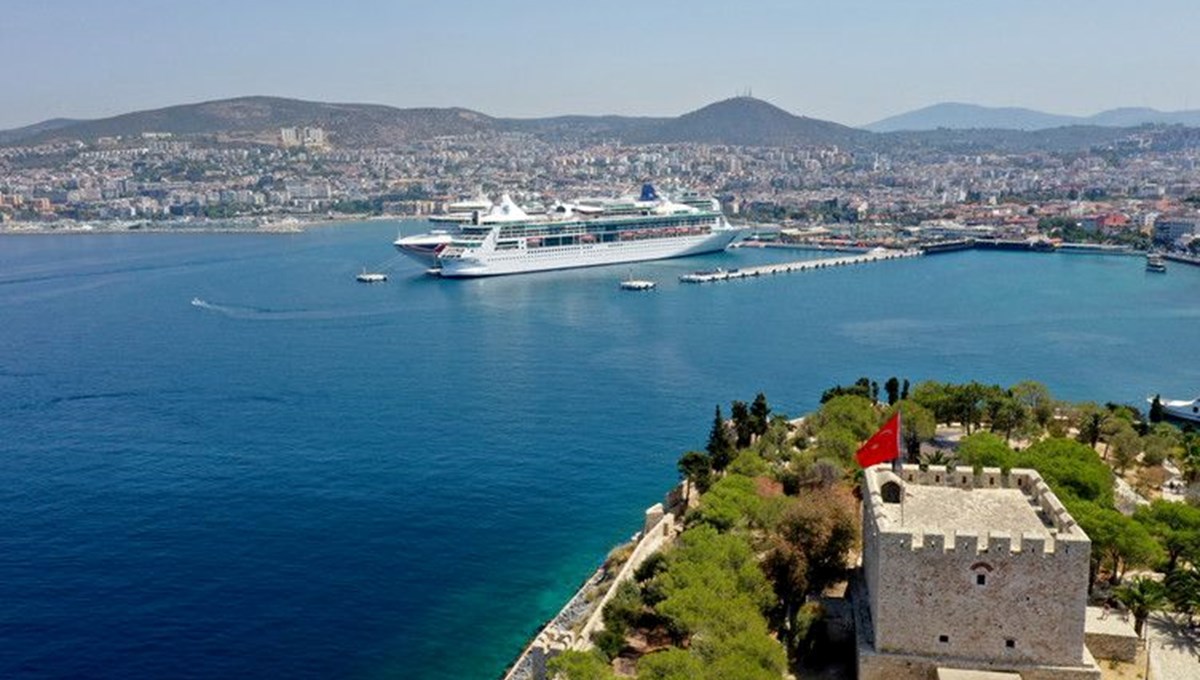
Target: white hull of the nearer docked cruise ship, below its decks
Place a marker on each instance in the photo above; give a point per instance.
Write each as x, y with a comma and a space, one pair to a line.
525, 261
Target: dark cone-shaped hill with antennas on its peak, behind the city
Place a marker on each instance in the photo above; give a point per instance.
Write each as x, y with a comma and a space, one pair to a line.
749, 123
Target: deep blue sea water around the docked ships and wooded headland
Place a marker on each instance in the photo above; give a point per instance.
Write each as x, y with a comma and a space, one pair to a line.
223, 458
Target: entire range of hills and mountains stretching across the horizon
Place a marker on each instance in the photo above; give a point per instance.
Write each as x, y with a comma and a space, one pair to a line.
735, 122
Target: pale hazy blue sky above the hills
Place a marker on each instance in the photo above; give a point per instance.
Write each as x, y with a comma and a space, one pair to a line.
850, 62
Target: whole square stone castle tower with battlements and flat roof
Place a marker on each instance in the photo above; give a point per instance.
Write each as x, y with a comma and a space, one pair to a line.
968, 575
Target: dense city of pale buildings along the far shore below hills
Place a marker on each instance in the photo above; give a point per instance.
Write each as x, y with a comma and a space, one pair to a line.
1115, 192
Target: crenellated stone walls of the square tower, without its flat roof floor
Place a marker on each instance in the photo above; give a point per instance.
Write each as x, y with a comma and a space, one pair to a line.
988, 597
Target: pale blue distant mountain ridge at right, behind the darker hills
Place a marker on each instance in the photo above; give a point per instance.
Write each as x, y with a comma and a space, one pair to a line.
953, 116
